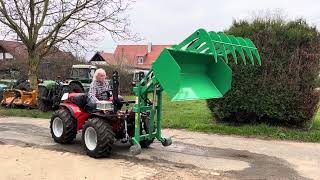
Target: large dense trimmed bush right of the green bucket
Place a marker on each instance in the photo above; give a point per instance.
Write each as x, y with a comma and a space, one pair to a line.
282, 89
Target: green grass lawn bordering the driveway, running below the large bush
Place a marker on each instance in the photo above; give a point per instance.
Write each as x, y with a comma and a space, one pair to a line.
195, 116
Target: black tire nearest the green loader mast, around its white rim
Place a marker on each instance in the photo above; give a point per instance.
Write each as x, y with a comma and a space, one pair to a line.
105, 138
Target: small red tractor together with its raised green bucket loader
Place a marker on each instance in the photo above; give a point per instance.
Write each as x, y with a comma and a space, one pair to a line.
192, 70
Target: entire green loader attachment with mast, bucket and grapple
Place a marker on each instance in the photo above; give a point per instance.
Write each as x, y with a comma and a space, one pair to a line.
195, 69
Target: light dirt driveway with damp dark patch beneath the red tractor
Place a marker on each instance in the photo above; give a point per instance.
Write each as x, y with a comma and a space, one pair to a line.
28, 152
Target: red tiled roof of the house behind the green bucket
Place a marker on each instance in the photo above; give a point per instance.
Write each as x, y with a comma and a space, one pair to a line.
129, 54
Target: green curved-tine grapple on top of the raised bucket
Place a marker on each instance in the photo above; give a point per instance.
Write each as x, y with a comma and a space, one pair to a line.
220, 45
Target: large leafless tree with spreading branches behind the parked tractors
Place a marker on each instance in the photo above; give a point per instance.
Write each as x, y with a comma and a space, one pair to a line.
43, 25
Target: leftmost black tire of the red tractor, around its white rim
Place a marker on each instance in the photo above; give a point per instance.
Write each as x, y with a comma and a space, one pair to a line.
69, 126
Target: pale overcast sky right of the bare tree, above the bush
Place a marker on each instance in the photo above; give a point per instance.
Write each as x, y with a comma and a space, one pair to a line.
170, 21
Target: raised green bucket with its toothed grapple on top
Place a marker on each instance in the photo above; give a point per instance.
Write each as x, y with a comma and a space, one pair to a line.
197, 68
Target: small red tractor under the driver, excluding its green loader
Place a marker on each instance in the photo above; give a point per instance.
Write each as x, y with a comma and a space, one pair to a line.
101, 127
